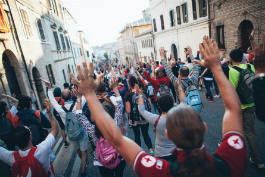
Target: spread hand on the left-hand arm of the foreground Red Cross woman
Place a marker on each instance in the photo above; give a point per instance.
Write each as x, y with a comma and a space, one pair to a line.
86, 83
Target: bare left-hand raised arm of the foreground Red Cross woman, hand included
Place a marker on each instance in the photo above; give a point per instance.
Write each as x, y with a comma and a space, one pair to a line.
87, 86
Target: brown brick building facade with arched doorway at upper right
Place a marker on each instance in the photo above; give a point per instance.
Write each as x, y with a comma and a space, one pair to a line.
233, 20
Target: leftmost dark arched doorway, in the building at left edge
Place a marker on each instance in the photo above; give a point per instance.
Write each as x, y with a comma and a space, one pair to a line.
11, 76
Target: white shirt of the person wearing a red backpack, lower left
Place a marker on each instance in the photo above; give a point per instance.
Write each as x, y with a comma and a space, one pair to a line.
42, 154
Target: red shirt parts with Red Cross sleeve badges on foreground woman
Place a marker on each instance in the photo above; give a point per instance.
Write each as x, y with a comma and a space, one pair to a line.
232, 151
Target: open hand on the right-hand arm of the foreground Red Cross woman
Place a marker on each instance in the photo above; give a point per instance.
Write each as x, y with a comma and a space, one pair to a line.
211, 55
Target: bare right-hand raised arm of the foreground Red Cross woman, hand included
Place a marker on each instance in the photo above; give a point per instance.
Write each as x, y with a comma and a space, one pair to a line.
232, 120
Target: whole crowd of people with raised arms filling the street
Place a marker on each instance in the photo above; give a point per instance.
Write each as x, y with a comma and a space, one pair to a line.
91, 113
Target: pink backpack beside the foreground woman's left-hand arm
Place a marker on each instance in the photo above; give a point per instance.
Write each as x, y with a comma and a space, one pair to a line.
106, 154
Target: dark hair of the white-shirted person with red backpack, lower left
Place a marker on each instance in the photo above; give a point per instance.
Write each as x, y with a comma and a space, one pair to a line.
21, 136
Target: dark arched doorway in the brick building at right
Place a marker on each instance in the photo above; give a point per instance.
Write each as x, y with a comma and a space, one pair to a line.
245, 29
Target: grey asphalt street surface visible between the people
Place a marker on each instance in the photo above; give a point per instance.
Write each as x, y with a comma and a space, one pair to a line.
212, 114
